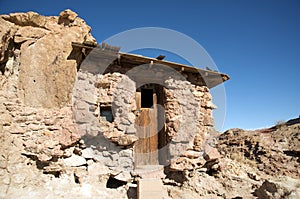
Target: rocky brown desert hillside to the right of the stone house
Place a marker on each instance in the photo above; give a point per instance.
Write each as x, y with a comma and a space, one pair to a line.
260, 163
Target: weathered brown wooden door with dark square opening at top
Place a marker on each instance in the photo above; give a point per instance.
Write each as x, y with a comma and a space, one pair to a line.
146, 148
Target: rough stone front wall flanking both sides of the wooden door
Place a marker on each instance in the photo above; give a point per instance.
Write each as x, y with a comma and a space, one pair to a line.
188, 117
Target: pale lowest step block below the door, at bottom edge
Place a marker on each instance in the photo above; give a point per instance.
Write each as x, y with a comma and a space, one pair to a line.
150, 188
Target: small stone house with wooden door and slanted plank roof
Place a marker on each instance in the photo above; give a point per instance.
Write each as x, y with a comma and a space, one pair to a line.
137, 111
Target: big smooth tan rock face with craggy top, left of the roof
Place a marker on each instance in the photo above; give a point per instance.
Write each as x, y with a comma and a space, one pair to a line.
46, 75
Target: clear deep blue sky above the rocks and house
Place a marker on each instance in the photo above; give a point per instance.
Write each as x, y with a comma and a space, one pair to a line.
255, 42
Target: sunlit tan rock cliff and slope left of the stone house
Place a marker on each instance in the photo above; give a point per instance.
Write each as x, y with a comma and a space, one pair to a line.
41, 151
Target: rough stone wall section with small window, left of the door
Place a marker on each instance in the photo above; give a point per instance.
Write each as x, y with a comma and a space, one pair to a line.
107, 141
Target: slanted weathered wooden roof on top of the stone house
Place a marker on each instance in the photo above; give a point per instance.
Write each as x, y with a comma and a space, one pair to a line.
212, 78
